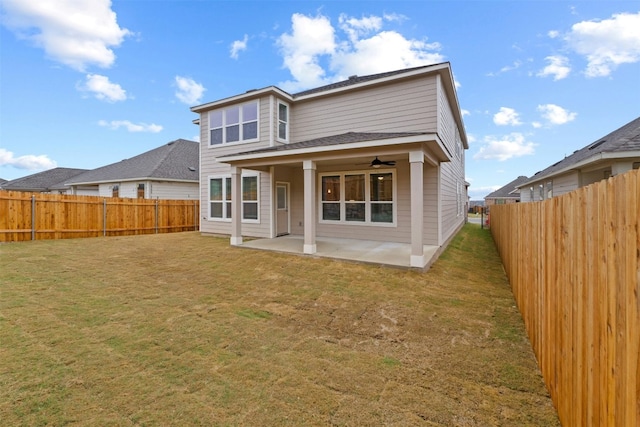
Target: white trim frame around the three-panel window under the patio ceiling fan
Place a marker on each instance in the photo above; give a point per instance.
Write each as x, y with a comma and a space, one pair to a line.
367, 202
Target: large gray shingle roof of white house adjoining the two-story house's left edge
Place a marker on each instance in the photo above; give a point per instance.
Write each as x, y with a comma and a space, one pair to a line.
178, 160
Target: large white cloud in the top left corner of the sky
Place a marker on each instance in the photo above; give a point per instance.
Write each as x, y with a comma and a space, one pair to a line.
77, 33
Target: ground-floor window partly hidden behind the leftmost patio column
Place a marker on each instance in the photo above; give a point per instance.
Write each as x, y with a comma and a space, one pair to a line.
220, 198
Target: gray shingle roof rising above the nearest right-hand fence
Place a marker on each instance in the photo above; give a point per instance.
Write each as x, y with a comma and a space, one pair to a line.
624, 139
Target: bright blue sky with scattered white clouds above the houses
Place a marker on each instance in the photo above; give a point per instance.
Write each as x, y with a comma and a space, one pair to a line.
85, 83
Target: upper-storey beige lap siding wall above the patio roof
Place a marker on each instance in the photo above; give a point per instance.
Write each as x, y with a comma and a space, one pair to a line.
402, 107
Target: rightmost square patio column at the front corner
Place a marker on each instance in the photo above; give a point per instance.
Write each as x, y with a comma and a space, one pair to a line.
416, 159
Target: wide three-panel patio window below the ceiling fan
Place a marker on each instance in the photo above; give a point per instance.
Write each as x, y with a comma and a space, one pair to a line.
358, 197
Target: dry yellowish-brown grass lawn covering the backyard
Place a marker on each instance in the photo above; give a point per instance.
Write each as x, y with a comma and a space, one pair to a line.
182, 329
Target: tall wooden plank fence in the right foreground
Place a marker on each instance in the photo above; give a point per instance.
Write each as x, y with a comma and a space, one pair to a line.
573, 264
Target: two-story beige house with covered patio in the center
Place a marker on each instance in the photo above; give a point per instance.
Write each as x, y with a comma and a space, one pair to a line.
377, 157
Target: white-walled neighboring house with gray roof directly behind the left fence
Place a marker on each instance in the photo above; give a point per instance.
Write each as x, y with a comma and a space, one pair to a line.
166, 172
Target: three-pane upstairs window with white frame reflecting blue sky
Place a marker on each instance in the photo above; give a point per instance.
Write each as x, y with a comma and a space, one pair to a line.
238, 123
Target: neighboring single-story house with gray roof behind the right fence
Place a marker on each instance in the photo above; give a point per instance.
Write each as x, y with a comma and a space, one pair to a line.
610, 155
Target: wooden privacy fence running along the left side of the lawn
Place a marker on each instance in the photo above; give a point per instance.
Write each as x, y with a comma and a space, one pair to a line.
31, 216
